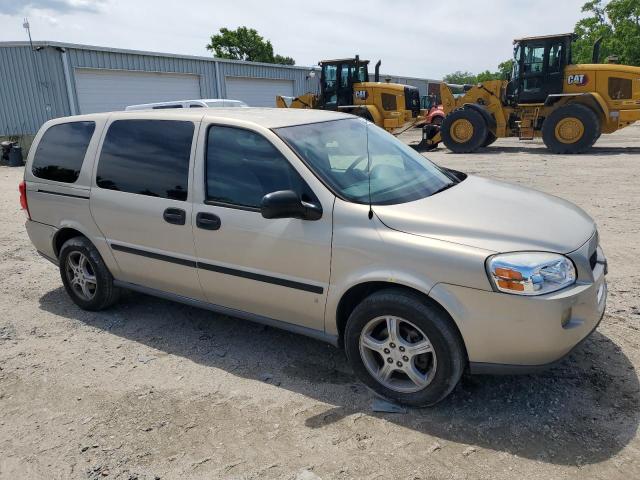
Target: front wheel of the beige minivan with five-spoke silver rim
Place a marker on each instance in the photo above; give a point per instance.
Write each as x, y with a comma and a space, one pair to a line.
417, 317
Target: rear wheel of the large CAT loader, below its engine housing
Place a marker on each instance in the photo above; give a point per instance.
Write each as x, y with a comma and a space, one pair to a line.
577, 119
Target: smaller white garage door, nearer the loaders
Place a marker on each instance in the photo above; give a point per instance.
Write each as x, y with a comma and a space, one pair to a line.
257, 92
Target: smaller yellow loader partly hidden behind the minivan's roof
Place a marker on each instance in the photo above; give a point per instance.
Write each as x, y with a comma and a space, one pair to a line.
345, 87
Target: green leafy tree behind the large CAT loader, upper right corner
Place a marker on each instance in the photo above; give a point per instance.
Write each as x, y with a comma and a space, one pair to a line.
617, 22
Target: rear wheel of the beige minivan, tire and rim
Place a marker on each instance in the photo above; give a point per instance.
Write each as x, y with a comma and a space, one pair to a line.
85, 276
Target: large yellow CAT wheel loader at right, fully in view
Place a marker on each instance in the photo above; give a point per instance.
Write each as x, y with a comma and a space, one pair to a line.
546, 96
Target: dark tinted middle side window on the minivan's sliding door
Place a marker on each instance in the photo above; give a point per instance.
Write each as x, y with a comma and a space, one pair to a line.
147, 157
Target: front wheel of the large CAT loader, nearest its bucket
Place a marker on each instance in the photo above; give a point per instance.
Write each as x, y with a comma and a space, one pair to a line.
458, 124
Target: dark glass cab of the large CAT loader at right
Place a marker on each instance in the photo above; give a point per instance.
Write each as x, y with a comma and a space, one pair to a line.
539, 64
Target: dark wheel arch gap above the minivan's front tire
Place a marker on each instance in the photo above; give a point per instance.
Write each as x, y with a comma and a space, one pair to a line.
355, 294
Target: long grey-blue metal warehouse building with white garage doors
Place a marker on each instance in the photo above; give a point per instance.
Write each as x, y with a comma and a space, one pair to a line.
55, 79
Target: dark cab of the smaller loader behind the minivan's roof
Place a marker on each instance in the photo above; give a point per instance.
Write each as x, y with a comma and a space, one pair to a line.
337, 78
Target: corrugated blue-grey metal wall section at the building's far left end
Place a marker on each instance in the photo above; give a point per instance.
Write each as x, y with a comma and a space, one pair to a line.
32, 89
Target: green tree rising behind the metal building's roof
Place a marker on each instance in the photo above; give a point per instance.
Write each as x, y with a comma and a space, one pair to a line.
245, 44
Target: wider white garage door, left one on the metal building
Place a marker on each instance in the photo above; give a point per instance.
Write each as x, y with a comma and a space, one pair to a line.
110, 90
